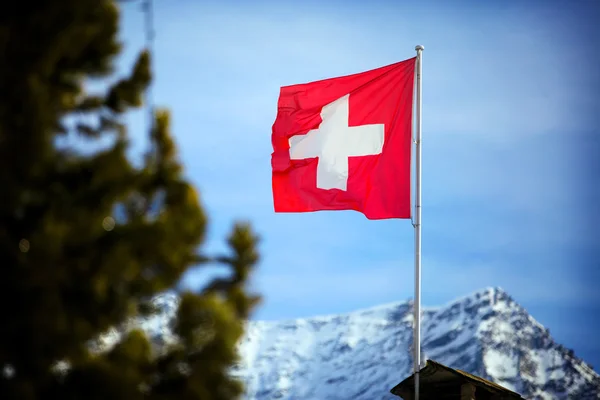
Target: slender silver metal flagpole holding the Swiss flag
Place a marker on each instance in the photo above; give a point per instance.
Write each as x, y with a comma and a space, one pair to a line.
417, 226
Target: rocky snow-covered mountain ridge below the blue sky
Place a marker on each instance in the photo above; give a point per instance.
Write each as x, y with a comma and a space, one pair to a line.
363, 354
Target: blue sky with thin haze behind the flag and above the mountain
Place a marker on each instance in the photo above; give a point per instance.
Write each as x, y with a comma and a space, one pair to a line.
510, 137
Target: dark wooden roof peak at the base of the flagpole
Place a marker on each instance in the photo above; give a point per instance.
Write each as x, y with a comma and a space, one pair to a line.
439, 381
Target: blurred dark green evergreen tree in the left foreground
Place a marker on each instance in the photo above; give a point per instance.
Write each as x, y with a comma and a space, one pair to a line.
87, 238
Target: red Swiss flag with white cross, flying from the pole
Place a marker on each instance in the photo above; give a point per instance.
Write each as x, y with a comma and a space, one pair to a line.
345, 144
